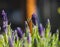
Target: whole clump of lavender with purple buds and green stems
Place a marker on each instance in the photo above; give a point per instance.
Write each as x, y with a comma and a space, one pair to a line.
41, 37
